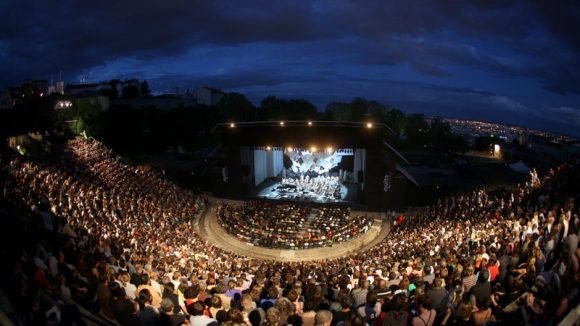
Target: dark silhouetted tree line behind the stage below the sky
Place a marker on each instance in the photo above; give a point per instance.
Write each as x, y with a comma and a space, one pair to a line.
149, 129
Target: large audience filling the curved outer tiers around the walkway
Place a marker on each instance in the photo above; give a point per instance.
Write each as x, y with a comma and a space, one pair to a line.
121, 243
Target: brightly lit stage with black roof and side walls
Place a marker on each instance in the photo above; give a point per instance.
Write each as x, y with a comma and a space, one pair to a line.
258, 155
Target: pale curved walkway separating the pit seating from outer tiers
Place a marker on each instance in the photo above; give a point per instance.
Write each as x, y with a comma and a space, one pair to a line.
209, 229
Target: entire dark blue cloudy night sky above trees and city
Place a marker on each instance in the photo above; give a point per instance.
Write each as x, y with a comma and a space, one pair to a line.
515, 62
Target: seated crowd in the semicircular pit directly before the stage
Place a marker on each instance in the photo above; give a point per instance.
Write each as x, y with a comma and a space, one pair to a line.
291, 226
